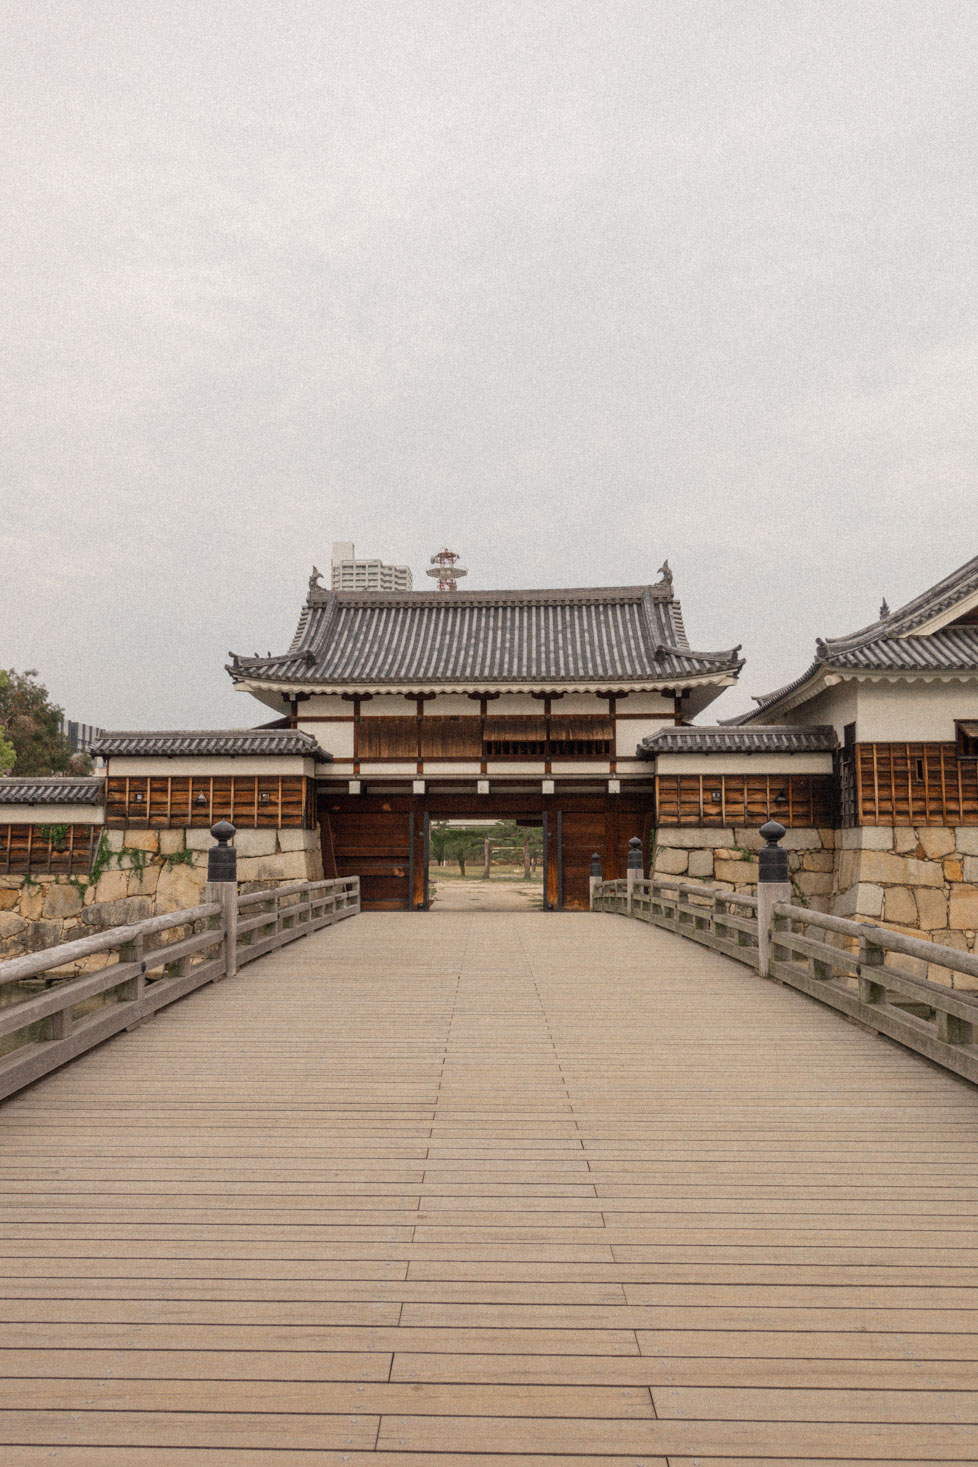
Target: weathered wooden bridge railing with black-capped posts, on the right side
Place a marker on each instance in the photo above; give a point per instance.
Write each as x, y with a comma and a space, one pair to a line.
853, 967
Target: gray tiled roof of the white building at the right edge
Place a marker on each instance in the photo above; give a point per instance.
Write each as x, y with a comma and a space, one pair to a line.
894, 642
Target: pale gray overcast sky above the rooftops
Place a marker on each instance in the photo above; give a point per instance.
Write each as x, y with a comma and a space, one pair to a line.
568, 287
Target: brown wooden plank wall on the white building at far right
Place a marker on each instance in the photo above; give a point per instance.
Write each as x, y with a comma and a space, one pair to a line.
916, 784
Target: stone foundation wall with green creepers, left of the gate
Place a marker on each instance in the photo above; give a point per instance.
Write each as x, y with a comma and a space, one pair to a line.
143, 874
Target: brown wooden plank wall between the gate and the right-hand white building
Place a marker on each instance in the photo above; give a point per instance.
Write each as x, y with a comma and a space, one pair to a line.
746, 800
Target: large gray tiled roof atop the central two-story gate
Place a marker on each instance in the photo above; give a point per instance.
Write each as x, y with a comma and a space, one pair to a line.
598, 636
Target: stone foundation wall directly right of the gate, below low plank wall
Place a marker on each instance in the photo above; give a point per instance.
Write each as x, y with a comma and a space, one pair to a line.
727, 859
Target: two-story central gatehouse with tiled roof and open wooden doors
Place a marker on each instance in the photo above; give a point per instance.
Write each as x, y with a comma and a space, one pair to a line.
521, 705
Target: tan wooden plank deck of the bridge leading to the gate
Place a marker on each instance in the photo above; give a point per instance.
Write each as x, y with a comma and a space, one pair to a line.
482, 1189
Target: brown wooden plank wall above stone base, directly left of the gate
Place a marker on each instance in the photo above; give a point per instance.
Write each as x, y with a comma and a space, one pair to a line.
250, 802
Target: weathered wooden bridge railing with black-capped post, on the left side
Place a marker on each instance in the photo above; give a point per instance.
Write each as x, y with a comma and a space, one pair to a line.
149, 965
